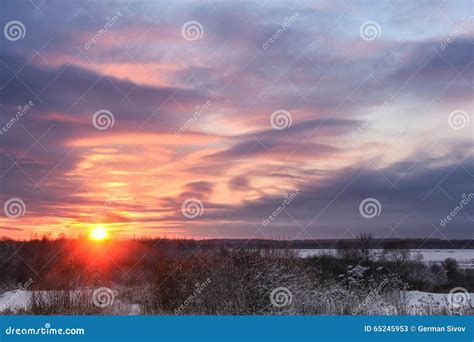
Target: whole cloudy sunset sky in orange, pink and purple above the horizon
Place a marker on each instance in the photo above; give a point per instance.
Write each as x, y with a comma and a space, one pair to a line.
268, 119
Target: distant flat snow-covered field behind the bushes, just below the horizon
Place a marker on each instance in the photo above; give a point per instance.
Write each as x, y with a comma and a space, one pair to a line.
465, 257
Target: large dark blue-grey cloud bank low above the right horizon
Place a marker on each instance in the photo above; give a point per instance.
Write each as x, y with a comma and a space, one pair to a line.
418, 201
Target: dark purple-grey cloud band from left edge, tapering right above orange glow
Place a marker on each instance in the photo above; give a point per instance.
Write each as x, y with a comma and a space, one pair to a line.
78, 91
